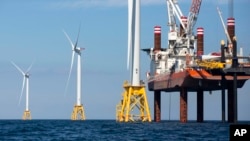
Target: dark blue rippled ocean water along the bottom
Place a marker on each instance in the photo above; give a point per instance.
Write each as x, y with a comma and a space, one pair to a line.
110, 130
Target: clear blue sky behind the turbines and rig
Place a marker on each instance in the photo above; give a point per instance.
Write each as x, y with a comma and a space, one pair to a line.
32, 30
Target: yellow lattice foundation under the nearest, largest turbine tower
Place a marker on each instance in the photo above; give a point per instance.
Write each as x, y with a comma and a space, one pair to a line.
134, 100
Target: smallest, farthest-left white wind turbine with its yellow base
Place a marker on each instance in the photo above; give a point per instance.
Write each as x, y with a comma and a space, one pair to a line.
26, 76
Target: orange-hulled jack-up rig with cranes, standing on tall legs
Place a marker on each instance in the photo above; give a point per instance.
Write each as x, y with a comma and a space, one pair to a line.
183, 67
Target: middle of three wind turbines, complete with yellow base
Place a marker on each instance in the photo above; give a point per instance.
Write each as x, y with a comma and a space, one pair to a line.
78, 110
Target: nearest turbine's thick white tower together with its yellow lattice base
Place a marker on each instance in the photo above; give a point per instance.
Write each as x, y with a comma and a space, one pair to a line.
134, 98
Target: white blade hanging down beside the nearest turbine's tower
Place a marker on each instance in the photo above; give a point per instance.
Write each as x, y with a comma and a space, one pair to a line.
130, 16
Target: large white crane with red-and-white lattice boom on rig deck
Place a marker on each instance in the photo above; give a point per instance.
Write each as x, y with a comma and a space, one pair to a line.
184, 38
